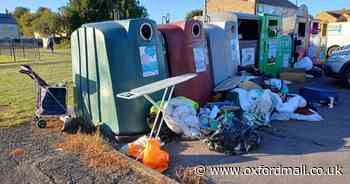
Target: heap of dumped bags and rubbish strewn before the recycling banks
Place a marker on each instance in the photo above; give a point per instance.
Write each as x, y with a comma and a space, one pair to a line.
230, 124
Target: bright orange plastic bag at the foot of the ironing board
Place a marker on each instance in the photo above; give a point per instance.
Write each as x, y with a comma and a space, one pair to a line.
154, 157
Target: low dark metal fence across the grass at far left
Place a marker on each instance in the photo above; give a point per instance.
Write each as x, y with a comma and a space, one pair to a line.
15, 50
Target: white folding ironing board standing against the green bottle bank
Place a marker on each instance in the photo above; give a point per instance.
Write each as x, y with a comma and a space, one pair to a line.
146, 90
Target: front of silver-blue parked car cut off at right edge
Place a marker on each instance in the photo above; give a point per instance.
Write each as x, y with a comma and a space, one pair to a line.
338, 65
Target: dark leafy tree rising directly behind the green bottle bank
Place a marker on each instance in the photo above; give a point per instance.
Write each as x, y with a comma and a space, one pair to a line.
79, 12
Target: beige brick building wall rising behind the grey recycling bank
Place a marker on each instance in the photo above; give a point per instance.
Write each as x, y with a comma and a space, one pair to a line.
246, 6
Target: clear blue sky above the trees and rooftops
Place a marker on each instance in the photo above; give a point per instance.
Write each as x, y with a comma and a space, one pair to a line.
176, 8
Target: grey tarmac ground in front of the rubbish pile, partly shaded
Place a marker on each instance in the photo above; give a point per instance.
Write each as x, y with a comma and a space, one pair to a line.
290, 144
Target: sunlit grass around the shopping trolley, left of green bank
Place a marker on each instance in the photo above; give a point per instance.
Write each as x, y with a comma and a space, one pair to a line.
18, 92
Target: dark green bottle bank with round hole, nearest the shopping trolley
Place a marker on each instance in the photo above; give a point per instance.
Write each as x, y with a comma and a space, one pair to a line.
110, 58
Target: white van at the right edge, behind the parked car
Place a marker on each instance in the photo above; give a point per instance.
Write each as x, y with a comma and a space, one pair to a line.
338, 35
